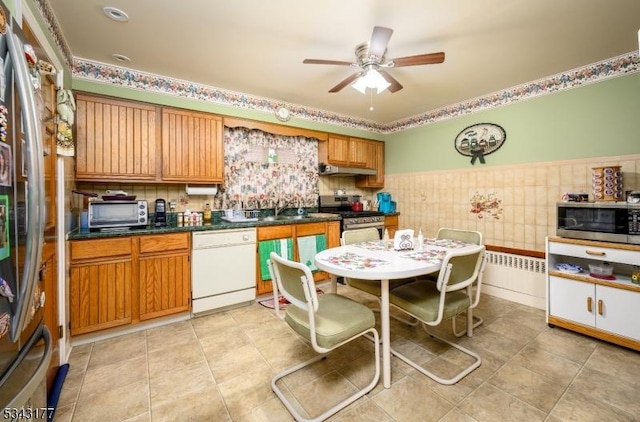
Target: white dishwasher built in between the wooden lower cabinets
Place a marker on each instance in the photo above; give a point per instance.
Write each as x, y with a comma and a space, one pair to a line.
223, 268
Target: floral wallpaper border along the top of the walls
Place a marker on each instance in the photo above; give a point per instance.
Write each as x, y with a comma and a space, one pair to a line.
114, 75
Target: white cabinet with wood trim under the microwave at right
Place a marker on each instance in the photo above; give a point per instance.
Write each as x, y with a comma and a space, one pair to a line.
605, 309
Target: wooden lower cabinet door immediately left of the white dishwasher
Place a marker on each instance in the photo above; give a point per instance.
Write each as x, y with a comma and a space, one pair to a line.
165, 285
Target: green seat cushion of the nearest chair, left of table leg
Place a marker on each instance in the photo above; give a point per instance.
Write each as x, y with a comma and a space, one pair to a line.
338, 319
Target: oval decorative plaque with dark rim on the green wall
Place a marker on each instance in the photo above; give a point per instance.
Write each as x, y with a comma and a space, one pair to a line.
478, 140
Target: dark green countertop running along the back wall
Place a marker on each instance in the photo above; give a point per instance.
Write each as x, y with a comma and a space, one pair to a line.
216, 224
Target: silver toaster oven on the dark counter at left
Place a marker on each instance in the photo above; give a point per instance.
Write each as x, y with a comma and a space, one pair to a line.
117, 214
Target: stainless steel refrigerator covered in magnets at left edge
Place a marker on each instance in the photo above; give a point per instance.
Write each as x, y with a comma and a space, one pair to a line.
25, 345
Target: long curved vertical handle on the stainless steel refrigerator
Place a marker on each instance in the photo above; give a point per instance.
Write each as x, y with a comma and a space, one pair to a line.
35, 177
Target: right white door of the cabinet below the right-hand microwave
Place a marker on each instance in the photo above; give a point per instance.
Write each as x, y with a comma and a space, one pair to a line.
618, 311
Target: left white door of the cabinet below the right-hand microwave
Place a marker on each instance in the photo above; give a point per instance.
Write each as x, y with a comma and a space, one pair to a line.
572, 300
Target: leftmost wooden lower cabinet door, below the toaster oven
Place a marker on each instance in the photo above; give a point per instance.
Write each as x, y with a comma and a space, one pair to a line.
100, 295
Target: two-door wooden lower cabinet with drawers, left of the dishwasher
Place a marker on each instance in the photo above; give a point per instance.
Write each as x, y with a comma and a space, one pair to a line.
121, 281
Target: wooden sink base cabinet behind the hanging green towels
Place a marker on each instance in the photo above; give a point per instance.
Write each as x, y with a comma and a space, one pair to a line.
294, 231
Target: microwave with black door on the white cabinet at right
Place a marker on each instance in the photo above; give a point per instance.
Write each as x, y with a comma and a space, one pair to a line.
606, 221
